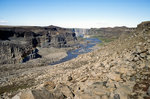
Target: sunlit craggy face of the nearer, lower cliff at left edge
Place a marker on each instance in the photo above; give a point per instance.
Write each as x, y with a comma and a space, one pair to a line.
13, 53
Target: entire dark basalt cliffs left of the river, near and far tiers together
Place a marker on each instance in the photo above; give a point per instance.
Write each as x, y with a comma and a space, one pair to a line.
18, 44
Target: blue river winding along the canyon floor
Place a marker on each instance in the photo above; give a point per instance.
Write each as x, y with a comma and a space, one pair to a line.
84, 48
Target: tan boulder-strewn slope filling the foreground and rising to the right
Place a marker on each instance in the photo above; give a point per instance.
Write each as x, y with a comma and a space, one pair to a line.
118, 70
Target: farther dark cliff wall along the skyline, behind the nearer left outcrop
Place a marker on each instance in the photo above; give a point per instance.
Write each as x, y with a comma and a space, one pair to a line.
37, 36
